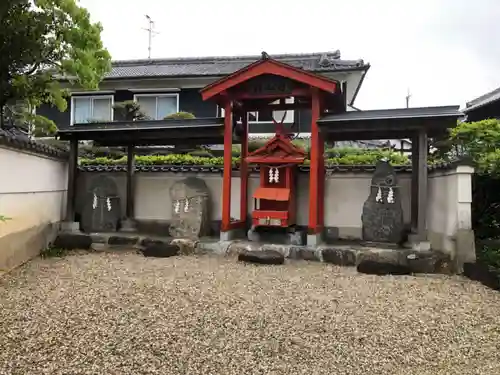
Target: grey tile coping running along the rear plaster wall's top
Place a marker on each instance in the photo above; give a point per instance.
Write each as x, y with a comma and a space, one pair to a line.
219, 169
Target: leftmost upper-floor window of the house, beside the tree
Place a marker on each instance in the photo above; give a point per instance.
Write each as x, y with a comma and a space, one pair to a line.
86, 109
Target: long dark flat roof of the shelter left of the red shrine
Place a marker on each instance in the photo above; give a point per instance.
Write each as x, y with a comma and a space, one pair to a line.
160, 132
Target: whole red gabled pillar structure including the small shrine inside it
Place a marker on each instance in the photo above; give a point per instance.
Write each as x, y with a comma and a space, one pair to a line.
256, 87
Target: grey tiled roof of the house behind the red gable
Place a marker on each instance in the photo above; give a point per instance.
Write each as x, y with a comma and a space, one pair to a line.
220, 66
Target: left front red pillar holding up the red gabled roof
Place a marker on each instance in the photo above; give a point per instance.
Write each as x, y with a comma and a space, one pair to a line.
226, 178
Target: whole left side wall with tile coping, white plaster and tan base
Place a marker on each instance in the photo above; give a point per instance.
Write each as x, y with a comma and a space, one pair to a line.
32, 196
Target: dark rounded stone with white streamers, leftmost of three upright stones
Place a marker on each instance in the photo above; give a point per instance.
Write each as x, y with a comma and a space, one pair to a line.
102, 209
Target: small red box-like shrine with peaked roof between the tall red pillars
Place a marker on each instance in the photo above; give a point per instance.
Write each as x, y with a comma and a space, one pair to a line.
275, 200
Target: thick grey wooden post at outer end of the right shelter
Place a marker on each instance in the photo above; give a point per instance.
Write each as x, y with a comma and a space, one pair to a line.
422, 185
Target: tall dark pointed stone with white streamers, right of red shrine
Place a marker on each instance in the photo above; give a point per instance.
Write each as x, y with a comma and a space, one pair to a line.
382, 217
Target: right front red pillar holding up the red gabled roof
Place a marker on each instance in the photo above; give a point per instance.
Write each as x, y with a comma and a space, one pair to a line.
314, 174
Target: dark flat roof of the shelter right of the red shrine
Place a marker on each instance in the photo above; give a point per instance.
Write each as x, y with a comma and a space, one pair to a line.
389, 123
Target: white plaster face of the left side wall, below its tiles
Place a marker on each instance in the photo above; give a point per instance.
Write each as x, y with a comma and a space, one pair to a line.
32, 189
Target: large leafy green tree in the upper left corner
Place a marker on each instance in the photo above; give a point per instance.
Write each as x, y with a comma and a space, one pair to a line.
40, 41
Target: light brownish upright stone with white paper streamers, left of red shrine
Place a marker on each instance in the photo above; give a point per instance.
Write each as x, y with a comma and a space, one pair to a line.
190, 199
